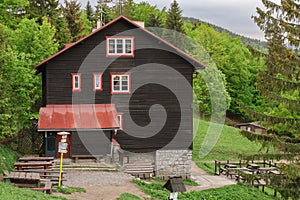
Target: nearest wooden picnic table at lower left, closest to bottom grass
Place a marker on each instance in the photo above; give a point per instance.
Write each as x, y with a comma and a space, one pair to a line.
24, 179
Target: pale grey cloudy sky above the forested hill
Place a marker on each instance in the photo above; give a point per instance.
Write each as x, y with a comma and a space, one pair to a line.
234, 15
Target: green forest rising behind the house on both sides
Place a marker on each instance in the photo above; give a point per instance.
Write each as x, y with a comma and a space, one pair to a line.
33, 30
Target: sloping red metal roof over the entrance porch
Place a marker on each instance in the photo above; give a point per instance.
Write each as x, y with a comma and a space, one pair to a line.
78, 116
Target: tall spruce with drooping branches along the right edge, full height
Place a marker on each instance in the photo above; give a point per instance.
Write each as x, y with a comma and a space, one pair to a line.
279, 84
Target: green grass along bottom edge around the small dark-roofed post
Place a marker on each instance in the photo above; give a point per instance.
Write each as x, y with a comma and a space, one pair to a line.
232, 192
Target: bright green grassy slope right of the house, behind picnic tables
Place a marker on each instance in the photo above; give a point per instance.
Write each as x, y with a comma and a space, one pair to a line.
229, 145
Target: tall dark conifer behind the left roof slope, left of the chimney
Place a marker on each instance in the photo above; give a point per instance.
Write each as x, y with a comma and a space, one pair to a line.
72, 13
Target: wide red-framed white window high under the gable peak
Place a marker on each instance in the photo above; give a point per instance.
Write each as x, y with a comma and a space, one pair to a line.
120, 46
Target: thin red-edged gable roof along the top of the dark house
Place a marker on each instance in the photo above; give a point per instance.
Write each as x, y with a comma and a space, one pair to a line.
189, 58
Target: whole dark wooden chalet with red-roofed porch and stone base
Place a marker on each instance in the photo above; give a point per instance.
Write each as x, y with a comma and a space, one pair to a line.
89, 90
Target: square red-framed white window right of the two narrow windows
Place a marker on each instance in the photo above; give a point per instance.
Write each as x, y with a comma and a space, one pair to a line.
120, 83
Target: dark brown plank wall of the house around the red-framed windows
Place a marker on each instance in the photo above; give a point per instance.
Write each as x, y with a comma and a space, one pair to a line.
89, 57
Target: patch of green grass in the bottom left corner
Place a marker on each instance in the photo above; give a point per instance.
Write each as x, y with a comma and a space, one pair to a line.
8, 191
